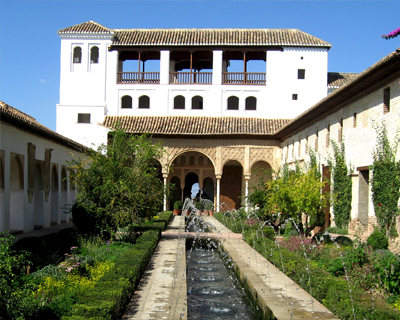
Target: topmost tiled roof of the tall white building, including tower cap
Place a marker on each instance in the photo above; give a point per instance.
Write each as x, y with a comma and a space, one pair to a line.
201, 37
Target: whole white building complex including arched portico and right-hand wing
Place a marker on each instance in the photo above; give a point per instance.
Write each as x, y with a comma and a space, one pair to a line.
226, 102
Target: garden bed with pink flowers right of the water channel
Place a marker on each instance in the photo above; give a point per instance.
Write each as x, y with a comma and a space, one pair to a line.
354, 283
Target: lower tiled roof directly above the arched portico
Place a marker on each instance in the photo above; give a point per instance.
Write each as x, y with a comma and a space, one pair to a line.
196, 125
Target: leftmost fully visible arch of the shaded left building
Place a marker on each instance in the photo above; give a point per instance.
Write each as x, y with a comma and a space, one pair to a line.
16, 219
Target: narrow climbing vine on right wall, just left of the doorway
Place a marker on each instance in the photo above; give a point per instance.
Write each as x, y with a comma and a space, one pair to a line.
341, 186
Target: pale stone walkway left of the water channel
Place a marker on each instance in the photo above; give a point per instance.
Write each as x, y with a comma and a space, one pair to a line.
162, 293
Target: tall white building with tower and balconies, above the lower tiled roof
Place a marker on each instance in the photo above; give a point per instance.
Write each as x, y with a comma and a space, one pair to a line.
185, 72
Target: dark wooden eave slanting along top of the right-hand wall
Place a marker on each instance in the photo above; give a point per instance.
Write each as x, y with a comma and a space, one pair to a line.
381, 73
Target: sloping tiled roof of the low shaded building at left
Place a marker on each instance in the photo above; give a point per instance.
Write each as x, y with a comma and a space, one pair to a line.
22, 120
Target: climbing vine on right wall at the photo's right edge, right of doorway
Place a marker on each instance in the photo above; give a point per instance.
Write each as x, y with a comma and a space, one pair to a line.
385, 180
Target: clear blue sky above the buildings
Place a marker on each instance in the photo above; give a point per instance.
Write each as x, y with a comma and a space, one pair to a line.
30, 46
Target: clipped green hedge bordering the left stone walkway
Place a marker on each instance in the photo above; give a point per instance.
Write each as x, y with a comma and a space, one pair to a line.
110, 295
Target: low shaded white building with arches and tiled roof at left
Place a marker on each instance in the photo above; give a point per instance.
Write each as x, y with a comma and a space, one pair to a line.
35, 191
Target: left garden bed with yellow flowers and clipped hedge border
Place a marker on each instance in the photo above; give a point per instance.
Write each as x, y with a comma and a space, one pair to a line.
73, 277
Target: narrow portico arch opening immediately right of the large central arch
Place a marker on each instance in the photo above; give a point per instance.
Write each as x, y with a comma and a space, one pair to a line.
231, 184
